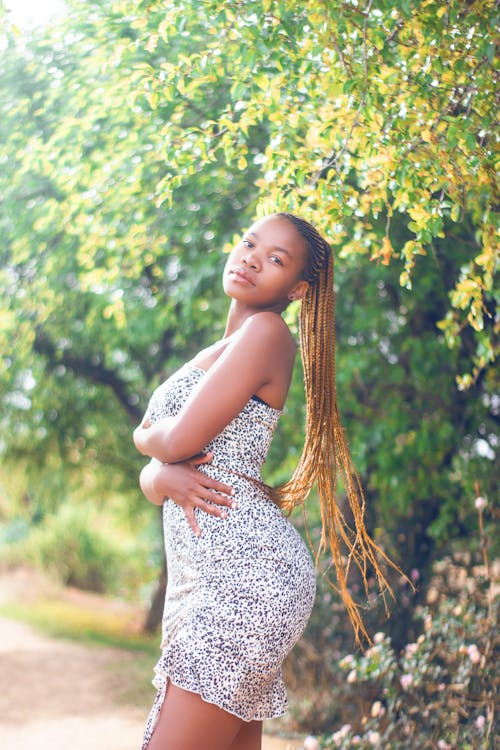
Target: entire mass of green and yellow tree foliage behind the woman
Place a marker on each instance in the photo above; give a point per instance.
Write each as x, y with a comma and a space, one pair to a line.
137, 139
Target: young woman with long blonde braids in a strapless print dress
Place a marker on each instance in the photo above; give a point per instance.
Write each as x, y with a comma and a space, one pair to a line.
241, 581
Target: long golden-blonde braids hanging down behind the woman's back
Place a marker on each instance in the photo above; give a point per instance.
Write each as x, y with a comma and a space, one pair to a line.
326, 455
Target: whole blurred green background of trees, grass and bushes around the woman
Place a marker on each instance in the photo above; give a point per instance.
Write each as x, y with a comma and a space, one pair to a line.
137, 139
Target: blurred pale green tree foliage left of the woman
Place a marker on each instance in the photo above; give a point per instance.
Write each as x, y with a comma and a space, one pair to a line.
100, 285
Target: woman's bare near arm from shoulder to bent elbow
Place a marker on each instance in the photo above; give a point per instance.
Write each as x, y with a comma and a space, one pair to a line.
260, 352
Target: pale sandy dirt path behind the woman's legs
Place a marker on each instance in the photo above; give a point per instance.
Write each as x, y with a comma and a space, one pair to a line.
59, 695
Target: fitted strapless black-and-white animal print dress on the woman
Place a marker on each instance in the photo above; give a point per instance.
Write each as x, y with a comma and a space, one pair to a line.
239, 596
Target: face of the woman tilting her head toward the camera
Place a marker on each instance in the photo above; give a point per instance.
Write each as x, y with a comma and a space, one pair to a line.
265, 269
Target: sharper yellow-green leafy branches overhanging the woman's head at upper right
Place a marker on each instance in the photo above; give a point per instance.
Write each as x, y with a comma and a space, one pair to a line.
371, 110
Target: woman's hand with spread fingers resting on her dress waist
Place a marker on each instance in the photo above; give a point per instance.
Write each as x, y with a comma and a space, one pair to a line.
187, 487
